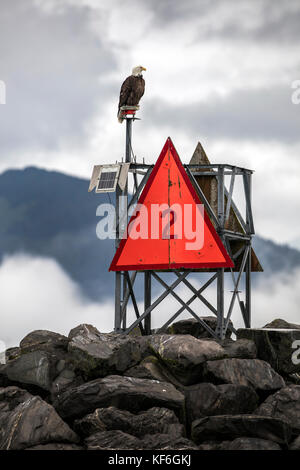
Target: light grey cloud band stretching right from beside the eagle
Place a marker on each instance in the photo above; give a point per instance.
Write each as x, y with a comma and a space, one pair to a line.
263, 114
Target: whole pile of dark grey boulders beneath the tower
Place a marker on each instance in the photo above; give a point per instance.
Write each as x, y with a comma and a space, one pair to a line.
177, 390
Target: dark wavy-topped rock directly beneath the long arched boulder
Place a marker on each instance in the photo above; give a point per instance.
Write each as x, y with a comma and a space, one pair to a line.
153, 421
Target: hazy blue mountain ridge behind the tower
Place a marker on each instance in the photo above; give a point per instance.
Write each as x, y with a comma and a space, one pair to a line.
48, 213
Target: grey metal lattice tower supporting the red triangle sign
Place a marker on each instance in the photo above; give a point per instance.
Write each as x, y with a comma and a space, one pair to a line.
236, 237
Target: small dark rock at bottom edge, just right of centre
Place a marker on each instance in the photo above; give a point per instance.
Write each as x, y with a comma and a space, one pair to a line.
167, 442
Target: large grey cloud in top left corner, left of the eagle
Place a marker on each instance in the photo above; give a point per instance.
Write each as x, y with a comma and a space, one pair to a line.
51, 65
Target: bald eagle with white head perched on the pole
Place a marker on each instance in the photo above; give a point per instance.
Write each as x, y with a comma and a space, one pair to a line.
132, 89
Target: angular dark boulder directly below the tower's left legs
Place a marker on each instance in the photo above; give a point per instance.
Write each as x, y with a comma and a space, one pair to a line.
96, 354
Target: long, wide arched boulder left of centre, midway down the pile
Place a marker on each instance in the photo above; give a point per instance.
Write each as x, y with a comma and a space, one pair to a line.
122, 392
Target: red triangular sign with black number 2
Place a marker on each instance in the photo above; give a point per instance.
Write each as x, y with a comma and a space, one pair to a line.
159, 248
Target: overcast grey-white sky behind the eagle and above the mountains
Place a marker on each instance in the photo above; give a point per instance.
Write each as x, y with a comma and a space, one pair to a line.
218, 71
